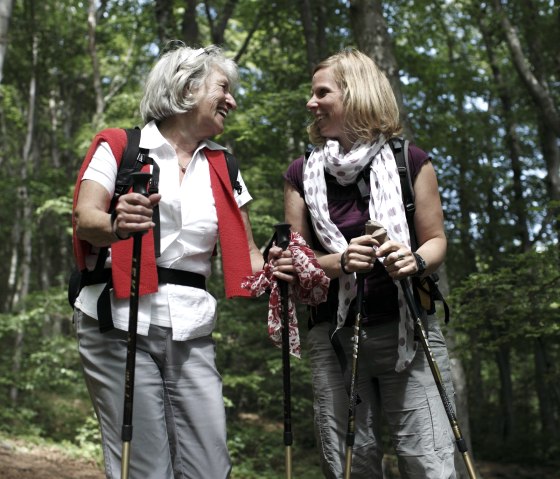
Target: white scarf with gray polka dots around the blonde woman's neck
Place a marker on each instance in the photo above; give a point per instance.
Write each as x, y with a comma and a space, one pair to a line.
385, 206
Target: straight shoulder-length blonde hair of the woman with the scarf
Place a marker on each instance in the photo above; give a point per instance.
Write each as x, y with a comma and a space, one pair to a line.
368, 99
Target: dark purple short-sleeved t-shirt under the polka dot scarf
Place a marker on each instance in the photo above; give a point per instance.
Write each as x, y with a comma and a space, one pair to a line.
350, 212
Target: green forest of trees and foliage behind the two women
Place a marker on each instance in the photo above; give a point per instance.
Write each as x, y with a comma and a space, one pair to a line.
478, 85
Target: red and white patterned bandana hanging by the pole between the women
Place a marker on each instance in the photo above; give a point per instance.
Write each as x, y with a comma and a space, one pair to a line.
311, 288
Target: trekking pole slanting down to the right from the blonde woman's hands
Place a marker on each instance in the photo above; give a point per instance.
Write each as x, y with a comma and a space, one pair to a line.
421, 333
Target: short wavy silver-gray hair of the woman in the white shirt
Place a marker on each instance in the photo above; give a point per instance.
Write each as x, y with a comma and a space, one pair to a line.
179, 73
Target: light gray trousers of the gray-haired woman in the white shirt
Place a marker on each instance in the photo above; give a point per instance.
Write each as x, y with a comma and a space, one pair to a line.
179, 425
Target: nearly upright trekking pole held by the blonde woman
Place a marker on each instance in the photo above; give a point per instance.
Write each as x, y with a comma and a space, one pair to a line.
351, 430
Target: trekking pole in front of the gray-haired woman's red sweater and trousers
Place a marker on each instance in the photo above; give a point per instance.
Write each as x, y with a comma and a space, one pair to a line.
139, 182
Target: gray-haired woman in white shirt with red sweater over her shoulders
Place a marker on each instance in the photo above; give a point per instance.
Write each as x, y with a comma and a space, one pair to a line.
179, 418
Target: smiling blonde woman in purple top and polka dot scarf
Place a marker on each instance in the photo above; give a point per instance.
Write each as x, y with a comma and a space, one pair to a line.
354, 115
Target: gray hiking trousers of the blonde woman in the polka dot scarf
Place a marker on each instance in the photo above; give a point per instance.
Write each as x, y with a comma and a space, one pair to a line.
409, 401
